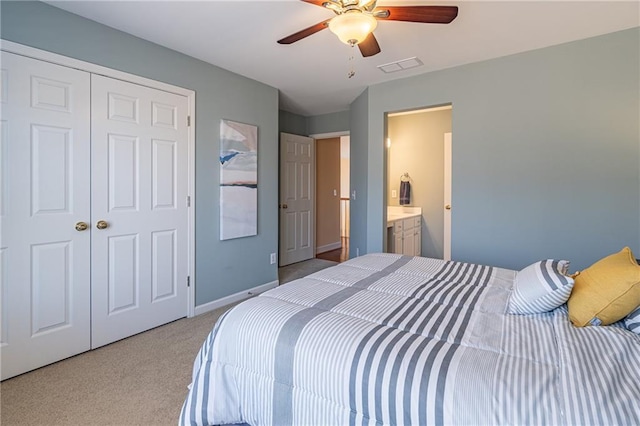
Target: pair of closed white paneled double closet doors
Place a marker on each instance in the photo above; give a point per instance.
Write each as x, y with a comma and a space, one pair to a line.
81, 149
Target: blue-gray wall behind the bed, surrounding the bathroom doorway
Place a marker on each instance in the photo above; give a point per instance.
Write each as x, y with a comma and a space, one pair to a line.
546, 152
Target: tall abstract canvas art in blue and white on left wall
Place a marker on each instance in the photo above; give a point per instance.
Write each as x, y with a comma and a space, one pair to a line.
238, 180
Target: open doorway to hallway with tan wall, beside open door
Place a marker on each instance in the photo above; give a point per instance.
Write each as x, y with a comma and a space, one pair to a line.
332, 198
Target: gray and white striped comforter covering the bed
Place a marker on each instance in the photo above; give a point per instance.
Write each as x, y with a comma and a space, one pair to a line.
390, 339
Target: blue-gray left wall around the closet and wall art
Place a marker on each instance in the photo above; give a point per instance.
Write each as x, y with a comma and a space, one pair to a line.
221, 267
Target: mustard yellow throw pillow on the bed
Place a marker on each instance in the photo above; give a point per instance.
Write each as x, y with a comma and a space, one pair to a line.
606, 291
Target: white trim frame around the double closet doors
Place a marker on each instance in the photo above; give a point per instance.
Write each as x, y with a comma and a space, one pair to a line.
43, 55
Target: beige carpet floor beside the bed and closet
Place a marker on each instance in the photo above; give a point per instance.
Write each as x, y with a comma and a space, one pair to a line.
141, 380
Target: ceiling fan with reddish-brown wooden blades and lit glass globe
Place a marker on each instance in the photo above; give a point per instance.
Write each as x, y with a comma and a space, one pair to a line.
355, 21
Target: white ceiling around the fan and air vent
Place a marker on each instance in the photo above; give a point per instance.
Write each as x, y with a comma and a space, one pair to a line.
311, 74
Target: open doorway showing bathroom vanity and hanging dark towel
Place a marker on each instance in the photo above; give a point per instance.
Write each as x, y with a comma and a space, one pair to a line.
418, 152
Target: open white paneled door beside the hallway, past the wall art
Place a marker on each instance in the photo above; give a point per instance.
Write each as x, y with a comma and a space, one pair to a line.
297, 183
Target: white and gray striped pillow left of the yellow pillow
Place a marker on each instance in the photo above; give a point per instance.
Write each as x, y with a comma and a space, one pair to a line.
540, 287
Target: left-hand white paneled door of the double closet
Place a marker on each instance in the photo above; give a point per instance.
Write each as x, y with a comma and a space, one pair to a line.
45, 261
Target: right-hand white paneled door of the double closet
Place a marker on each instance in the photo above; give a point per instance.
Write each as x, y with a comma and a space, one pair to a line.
139, 208
